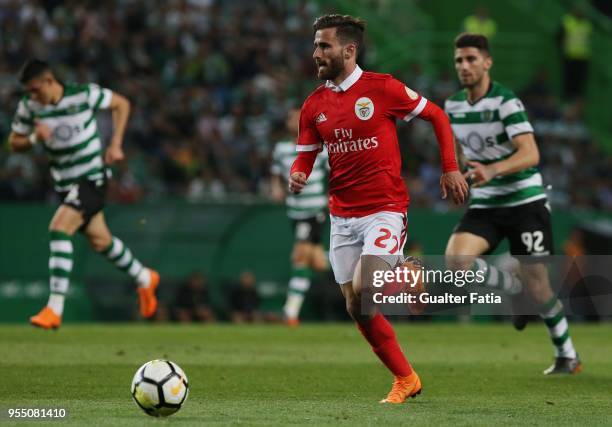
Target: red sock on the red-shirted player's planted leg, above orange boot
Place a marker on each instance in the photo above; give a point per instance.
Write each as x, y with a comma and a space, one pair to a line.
379, 333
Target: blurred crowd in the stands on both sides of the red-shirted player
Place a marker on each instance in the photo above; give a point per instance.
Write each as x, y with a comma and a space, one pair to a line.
210, 82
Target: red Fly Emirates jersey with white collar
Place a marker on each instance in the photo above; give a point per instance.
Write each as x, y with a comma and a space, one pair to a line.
357, 123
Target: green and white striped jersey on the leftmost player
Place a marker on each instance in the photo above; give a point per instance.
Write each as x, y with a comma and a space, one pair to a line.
75, 148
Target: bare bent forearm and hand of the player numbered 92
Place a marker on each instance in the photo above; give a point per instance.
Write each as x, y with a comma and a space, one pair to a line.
526, 156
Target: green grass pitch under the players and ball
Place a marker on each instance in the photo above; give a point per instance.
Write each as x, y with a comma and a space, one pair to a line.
474, 374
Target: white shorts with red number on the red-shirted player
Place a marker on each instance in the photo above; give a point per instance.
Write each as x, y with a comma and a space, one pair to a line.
382, 233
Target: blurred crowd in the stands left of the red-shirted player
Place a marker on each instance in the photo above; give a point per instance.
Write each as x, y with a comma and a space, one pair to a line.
209, 82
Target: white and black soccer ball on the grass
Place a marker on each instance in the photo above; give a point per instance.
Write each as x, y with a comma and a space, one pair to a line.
160, 388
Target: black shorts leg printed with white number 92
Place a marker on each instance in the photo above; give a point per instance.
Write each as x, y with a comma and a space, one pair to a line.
530, 231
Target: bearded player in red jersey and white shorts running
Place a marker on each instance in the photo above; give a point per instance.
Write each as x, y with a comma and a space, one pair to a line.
354, 115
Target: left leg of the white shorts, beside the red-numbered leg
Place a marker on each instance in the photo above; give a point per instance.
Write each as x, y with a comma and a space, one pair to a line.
345, 247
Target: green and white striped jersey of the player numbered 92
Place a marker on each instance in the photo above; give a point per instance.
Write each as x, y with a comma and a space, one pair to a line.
485, 130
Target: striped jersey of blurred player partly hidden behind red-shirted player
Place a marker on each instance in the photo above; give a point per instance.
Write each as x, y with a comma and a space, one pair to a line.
312, 201
